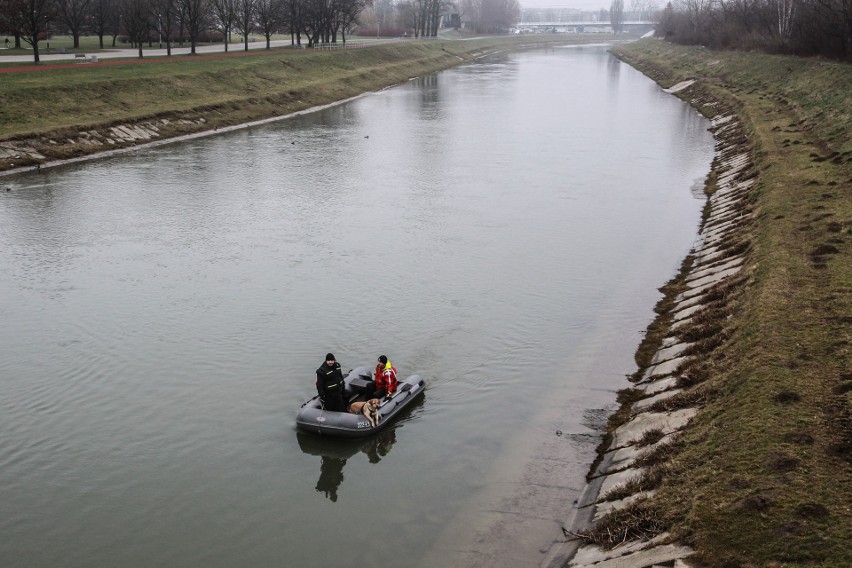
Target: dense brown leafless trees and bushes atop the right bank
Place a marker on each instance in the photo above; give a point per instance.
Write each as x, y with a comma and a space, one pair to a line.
799, 27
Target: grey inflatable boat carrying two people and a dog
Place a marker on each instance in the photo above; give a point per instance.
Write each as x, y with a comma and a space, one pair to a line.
313, 417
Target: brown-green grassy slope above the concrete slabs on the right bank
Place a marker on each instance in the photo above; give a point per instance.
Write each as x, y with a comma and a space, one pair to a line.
763, 475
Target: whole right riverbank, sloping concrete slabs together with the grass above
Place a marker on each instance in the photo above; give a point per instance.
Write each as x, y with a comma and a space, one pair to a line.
733, 447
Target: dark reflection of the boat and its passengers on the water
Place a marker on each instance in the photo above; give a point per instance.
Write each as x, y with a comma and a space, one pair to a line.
336, 451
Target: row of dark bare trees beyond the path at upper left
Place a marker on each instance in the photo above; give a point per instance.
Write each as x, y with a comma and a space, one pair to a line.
178, 21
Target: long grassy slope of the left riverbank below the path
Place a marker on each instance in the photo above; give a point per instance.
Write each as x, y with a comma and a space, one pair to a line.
48, 109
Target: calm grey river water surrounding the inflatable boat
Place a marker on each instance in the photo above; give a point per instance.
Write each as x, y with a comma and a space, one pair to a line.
499, 228
